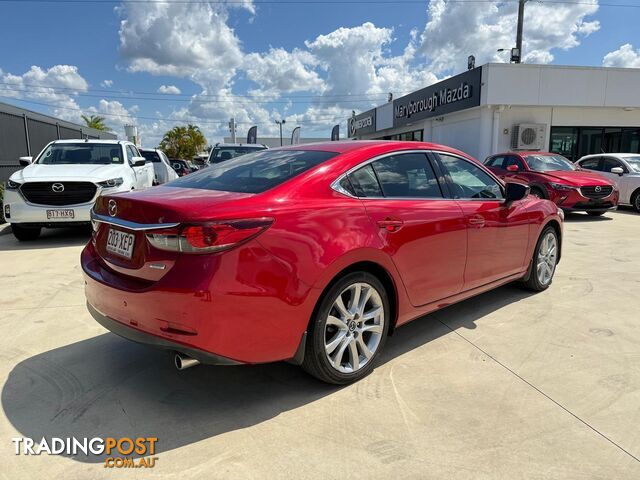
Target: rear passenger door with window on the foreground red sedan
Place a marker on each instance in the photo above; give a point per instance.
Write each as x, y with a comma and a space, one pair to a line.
422, 230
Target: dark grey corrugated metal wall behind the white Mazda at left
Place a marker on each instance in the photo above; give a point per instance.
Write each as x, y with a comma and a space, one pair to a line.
24, 133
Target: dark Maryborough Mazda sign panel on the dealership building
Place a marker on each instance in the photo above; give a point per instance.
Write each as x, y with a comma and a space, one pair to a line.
455, 93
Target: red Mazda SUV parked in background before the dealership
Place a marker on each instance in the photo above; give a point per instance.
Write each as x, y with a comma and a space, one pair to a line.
554, 177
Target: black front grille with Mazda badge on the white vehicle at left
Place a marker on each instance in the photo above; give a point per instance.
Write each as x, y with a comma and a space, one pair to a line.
72, 193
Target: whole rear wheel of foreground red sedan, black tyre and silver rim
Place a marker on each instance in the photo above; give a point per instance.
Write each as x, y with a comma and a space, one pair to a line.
348, 329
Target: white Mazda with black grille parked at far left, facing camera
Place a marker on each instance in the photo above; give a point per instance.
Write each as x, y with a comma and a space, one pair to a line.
60, 187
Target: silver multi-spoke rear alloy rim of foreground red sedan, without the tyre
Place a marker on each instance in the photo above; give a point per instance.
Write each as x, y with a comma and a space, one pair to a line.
354, 327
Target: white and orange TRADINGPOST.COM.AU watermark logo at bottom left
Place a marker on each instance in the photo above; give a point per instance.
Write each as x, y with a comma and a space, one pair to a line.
117, 450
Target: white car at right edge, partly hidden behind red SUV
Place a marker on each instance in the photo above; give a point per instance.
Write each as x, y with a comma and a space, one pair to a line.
621, 168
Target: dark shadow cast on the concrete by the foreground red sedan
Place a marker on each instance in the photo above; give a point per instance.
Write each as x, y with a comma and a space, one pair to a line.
106, 386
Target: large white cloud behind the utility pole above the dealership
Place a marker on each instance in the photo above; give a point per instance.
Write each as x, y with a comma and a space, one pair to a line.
456, 30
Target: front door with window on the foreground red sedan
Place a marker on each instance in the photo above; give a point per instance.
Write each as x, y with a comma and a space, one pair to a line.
497, 233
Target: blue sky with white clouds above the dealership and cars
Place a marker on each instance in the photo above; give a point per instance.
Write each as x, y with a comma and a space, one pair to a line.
328, 58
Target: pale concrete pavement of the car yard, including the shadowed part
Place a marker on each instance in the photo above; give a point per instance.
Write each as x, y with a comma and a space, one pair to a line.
506, 385
